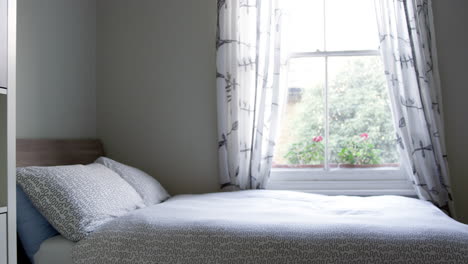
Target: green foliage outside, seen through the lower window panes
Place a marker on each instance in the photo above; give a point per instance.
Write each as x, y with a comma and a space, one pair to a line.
358, 103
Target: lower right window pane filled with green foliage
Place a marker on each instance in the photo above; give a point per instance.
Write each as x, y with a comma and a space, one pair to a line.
361, 127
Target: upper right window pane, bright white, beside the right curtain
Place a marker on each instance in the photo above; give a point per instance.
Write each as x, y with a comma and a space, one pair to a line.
351, 25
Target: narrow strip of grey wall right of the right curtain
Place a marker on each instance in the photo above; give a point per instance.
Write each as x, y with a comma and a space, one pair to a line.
451, 24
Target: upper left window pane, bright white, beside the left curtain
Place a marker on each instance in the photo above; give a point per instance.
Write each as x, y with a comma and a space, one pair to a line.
303, 25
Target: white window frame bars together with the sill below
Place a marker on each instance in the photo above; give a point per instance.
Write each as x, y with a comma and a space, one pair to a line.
349, 181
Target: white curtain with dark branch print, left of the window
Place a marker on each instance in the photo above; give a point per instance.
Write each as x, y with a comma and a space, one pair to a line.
247, 90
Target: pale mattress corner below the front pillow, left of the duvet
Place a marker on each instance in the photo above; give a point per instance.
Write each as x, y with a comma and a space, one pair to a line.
55, 250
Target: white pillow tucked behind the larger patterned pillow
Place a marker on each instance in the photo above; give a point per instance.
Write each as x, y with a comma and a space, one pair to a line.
148, 187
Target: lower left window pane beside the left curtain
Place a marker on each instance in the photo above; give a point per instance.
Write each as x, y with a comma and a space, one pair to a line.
302, 122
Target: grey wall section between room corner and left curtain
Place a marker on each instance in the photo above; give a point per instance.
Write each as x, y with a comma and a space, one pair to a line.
156, 96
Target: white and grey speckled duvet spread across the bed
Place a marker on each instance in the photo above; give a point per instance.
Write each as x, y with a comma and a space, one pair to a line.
279, 227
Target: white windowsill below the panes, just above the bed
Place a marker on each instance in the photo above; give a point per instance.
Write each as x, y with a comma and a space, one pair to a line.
357, 181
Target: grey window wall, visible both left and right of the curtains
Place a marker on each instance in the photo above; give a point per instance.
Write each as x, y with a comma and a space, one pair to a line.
156, 95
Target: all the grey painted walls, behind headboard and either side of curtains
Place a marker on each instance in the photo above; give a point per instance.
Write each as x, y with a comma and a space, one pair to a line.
156, 91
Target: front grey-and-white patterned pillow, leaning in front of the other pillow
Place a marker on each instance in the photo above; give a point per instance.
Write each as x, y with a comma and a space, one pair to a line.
77, 199
